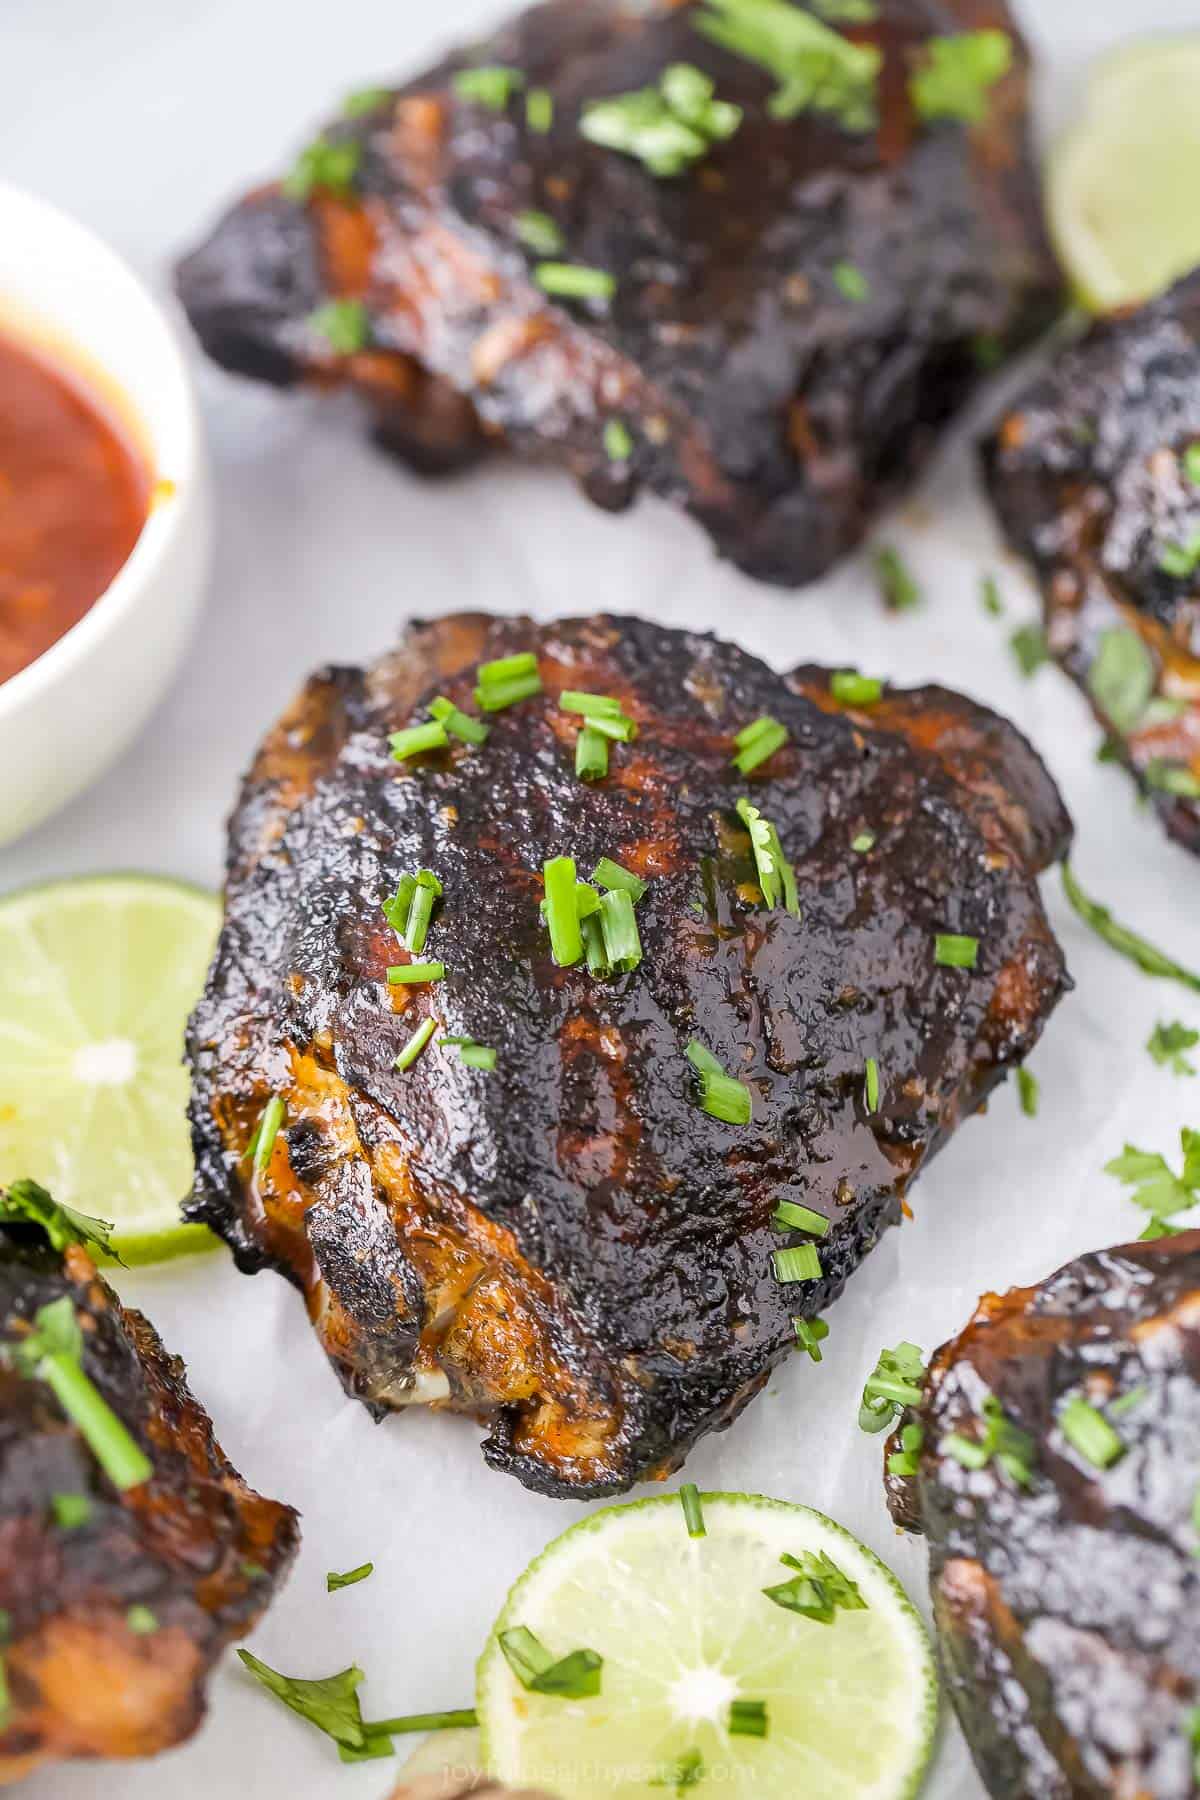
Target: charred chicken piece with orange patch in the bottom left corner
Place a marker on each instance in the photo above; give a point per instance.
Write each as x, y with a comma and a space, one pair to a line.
116, 1603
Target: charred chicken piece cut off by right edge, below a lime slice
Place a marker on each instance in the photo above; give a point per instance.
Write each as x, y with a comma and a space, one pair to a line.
1097, 478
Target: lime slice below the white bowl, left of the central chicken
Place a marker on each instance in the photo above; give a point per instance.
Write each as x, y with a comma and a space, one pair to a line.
96, 984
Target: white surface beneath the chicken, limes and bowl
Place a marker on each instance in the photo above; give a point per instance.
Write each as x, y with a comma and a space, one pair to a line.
143, 120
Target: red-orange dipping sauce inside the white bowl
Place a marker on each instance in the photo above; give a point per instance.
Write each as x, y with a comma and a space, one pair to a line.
75, 494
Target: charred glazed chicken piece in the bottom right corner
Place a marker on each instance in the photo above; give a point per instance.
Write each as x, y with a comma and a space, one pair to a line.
1066, 1599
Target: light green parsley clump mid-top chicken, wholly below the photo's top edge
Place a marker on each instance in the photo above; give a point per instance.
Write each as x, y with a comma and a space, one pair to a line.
668, 127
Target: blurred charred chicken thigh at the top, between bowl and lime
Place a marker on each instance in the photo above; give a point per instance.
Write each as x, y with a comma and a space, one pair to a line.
794, 318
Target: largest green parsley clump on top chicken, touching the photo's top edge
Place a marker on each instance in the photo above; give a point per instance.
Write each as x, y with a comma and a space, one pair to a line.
816, 69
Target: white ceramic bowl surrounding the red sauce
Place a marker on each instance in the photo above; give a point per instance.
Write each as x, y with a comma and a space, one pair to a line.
73, 712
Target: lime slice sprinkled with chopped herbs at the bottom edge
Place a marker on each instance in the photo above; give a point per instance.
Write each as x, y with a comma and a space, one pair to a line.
685, 1632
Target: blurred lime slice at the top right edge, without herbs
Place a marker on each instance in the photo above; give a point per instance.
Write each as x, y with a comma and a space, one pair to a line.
1120, 199
